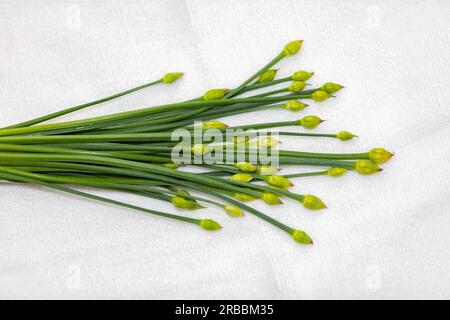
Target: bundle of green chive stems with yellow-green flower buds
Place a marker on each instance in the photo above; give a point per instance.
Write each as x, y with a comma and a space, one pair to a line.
139, 151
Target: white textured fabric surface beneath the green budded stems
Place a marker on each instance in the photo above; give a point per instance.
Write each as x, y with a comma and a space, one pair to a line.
384, 236
